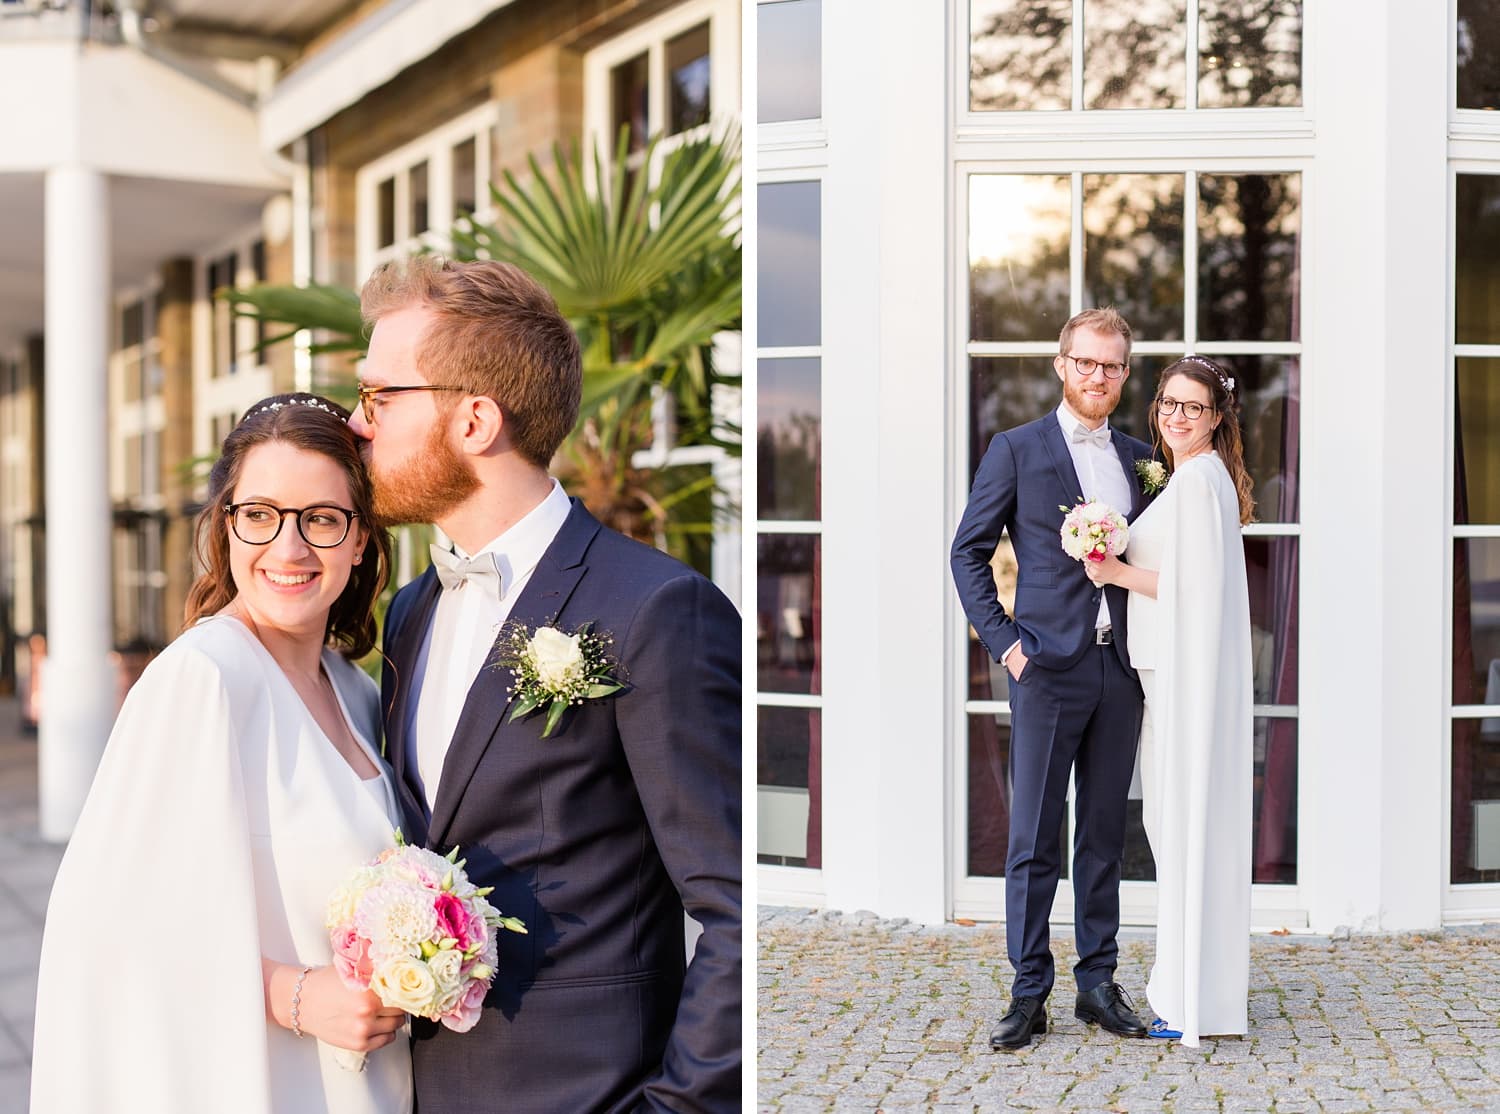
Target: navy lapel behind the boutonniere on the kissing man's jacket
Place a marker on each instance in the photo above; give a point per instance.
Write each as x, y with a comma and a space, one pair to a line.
488, 702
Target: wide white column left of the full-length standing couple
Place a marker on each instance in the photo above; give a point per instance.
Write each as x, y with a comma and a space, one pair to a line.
886, 539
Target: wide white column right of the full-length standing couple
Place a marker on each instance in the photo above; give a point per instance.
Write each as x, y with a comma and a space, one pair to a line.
1373, 737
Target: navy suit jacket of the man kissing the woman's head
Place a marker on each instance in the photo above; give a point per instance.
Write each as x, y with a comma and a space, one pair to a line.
598, 837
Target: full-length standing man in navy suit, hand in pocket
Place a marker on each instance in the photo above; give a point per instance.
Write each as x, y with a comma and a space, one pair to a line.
1075, 699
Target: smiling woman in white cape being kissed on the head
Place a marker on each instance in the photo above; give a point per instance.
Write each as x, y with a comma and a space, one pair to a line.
185, 962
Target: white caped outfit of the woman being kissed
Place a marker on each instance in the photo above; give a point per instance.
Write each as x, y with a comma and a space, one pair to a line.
218, 825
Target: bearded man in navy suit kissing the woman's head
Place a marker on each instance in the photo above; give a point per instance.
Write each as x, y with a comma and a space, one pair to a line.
601, 834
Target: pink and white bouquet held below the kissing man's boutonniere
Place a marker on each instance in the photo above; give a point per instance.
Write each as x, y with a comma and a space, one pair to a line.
416, 932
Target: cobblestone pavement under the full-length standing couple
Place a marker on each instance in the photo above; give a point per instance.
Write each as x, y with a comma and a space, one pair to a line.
859, 1014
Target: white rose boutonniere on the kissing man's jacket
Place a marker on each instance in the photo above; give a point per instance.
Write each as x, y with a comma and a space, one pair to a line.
556, 669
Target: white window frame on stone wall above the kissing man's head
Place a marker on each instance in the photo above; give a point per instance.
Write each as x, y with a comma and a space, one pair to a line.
434, 149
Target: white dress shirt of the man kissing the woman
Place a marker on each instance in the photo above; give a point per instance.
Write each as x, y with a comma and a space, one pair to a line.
463, 635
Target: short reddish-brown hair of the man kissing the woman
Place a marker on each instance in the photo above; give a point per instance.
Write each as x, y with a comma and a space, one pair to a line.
497, 334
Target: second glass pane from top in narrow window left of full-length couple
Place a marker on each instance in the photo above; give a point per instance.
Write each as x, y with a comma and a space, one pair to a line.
791, 265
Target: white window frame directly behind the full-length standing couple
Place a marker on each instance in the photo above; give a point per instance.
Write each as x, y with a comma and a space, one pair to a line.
1108, 142
